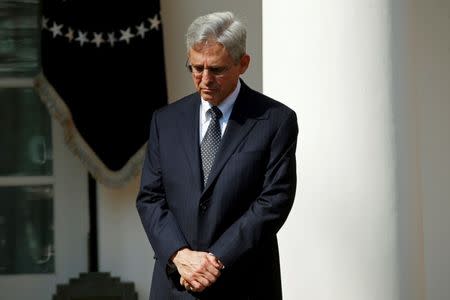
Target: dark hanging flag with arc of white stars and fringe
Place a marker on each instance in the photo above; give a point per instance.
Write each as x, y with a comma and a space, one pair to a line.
103, 76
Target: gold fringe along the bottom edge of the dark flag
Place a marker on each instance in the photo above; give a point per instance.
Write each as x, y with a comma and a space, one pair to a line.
58, 109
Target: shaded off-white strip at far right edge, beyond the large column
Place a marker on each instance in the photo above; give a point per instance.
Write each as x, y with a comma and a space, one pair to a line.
432, 46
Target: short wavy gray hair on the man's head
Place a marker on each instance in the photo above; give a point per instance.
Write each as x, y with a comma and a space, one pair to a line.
221, 27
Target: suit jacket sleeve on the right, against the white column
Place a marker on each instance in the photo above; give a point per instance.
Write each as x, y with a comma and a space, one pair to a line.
269, 211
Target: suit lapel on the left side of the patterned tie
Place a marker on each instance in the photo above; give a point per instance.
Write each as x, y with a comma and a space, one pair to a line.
188, 126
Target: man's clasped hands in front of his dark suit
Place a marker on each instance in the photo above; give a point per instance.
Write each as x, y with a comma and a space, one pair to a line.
198, 269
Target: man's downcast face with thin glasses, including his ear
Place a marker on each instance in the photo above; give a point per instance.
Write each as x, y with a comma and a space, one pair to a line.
214, 72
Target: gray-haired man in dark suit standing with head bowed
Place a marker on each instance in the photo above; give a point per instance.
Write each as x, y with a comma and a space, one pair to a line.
219, 177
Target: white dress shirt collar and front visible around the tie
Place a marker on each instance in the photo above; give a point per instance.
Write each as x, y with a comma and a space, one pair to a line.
225, 107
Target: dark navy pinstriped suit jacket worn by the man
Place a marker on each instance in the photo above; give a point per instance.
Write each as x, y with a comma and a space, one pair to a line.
236, 216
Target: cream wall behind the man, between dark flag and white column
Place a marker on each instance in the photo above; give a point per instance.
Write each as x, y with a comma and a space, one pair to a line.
123, 247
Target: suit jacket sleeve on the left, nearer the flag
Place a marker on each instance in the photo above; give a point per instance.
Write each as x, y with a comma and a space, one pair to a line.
158, 221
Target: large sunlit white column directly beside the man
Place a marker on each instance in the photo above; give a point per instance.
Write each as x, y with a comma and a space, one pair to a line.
334, 63
